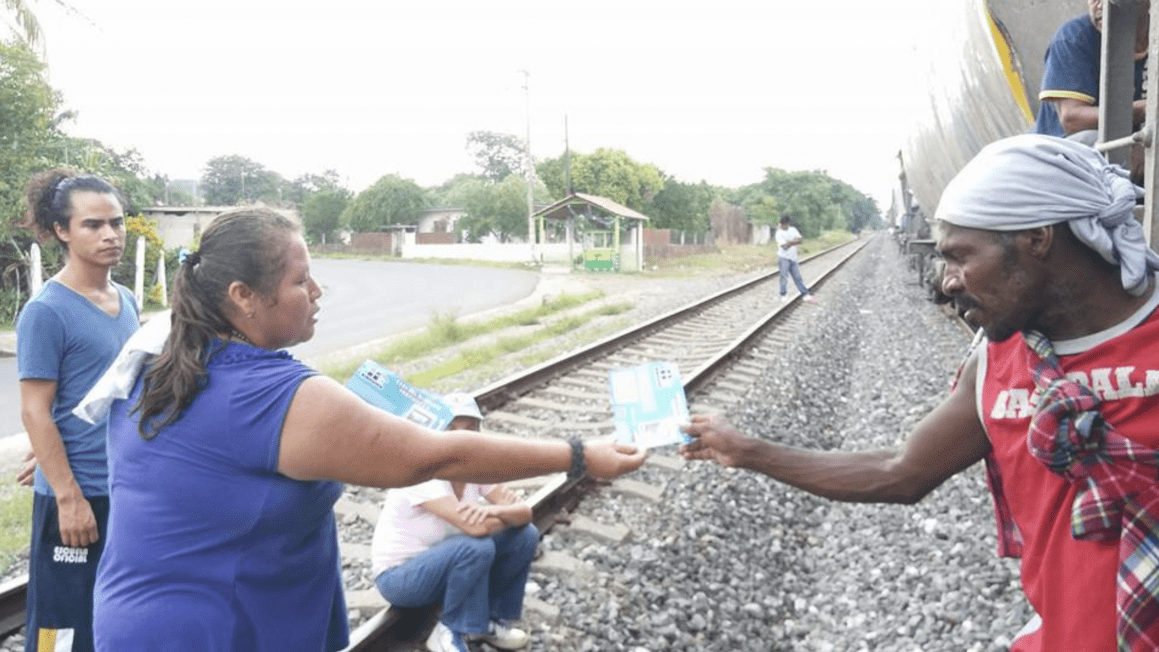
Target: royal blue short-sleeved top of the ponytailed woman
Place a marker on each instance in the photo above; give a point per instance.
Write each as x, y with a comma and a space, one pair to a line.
209, 547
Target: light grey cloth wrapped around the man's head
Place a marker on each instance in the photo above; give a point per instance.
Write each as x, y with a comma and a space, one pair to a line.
1032, 181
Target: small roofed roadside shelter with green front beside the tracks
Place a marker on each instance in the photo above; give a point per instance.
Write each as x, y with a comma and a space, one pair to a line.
597, 224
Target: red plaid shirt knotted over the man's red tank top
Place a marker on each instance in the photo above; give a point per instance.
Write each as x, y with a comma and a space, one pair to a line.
1119, 494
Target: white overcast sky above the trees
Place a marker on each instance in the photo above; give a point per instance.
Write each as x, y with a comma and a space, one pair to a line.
708, 91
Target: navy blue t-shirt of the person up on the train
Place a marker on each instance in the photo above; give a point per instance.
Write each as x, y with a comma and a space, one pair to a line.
1074, 61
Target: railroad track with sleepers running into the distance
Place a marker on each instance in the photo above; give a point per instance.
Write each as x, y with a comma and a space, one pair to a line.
720, 345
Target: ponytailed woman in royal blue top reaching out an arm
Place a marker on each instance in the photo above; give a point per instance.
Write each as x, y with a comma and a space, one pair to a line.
227, 457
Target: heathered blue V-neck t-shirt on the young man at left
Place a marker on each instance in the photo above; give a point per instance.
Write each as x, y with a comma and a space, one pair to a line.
65, 339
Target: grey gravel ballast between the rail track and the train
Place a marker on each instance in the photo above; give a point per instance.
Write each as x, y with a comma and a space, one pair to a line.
734, 561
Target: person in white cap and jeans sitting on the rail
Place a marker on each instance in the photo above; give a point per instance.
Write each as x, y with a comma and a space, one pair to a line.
439, 543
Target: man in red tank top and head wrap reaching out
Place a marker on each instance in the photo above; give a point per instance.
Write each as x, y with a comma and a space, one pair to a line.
1044, 253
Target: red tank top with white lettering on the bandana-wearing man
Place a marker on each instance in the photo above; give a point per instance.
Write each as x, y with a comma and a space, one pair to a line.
1070, 584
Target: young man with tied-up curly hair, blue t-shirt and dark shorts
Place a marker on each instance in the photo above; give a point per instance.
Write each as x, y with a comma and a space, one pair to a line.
67, 336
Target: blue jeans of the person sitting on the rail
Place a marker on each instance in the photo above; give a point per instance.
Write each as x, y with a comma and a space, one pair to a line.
479, 580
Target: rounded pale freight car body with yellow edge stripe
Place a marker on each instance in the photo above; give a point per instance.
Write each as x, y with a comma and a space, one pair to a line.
982, 74
